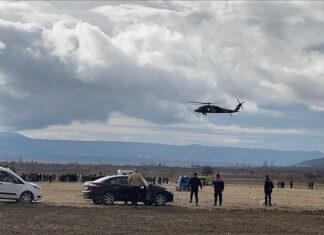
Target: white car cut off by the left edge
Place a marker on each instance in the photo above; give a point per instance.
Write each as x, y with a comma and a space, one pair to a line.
14, 187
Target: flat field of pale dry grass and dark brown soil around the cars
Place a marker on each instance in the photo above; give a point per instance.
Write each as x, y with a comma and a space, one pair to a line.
64, 211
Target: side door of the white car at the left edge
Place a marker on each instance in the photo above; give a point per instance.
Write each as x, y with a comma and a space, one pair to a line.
10, 186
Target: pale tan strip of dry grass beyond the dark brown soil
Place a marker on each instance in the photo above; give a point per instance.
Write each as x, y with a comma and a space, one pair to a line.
235, 196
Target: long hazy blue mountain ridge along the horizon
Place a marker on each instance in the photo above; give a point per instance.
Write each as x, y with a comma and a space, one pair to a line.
14, 145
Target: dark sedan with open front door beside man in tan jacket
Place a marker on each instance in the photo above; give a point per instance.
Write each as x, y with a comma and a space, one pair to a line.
110, 189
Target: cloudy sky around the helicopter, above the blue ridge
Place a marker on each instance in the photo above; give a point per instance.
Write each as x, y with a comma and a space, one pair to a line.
125, 71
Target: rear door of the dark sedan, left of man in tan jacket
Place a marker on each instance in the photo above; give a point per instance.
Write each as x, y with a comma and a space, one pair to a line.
122, 189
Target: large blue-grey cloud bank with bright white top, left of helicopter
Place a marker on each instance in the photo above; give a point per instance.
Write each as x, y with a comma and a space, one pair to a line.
71, 71
